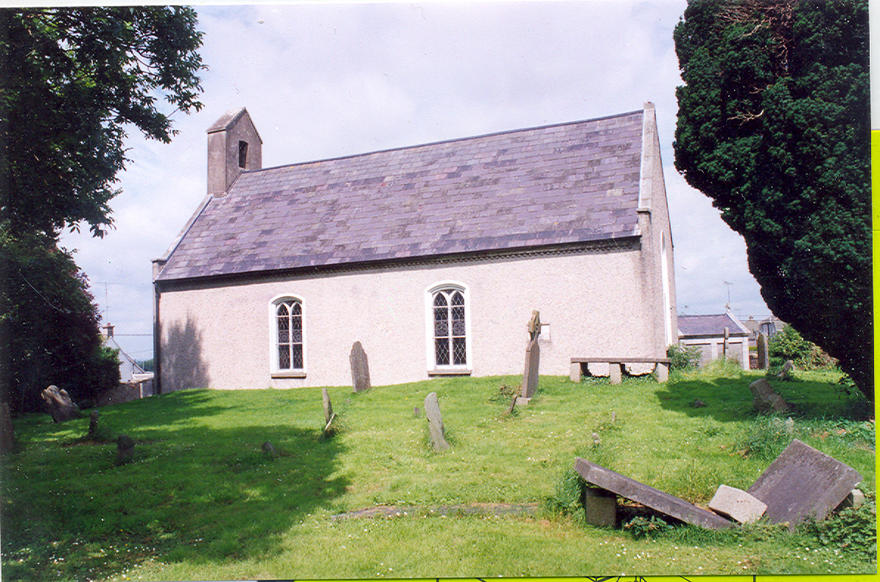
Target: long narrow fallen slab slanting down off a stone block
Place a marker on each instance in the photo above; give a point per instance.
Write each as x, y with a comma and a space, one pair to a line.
646, 495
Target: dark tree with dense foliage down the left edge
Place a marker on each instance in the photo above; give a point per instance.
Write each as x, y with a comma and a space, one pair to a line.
73, 81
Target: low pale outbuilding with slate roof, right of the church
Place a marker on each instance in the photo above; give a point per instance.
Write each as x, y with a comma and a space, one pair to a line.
716, 335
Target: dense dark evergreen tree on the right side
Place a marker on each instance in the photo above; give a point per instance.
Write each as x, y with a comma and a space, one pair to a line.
773, 126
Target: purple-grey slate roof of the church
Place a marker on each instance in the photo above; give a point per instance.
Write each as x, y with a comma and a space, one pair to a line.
551, 185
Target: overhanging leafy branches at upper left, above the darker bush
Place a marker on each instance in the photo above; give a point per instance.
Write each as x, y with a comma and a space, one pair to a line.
71, 81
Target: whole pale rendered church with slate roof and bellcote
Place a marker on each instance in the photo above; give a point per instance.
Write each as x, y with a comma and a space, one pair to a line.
432, 256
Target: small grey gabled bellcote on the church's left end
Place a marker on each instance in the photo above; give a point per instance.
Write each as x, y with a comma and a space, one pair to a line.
233, 146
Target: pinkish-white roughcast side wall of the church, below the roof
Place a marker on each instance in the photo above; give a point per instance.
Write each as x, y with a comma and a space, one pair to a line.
219, 336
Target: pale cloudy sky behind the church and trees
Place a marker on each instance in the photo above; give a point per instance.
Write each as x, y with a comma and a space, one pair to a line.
324, 80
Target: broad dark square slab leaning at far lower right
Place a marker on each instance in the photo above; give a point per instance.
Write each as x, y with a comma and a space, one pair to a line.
803, 482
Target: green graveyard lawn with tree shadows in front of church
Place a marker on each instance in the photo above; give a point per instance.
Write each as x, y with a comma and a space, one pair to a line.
201, 500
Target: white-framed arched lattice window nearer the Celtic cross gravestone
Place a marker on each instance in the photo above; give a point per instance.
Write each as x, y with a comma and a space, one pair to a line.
449, 338
